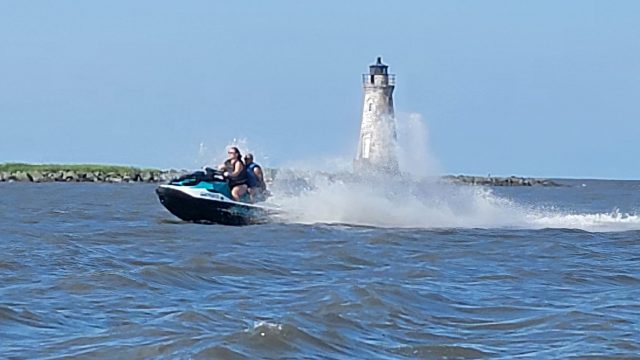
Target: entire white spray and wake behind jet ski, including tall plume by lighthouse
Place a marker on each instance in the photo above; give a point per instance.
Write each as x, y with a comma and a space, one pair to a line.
421, 200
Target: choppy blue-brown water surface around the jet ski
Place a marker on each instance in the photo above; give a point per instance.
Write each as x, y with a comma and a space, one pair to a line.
103, 271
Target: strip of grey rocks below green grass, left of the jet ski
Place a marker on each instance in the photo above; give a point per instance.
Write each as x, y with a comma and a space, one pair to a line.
40, 176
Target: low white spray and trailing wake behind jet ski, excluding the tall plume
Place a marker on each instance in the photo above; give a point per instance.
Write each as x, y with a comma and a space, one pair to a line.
431, 205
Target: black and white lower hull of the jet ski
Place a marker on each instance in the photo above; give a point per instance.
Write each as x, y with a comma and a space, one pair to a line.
200, 205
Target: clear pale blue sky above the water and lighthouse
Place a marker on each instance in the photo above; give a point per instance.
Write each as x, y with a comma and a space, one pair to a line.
535, 88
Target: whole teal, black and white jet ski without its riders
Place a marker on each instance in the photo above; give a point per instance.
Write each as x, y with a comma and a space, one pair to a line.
204, 197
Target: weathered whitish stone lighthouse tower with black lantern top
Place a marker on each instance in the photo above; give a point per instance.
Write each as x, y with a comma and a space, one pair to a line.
377, 146
